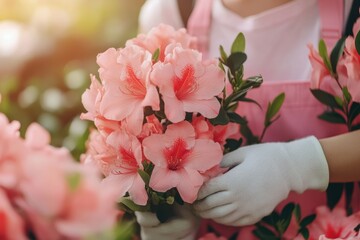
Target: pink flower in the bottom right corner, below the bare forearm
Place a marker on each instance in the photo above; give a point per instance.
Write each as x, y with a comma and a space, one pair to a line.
333, 224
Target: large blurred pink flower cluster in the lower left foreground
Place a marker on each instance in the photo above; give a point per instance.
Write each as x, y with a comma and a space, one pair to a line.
44, 193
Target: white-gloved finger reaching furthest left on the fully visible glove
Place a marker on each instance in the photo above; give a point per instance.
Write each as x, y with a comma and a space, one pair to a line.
214, 200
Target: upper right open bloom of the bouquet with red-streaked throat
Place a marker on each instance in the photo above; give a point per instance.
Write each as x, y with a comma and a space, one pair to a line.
188, 84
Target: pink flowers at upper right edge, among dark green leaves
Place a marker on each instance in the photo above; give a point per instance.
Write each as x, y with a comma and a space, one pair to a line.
348, 69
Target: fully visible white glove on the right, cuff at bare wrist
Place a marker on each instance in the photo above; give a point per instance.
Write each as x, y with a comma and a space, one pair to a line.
262, 176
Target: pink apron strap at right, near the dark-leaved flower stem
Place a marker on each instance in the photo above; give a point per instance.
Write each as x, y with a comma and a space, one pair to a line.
332, 20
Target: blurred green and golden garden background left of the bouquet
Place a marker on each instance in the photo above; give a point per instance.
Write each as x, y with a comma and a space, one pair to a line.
48, 49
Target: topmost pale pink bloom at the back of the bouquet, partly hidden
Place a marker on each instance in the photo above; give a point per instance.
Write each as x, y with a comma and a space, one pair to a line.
160, 37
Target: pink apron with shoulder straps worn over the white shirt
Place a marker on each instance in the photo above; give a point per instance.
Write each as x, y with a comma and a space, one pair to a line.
298, 113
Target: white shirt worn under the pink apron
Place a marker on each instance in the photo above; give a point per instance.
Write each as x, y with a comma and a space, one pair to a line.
276, 39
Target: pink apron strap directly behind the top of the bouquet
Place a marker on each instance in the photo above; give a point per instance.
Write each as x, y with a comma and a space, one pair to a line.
199, 24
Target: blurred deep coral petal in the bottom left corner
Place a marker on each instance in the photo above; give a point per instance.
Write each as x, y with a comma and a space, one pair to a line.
11, 225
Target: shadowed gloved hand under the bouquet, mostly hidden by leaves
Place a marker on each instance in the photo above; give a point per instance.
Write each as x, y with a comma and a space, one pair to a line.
183, 226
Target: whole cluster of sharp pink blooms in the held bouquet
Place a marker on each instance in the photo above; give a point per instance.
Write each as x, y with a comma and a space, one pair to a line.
151, 105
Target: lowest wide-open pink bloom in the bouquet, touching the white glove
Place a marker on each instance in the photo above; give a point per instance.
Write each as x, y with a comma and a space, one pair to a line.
180, 159
